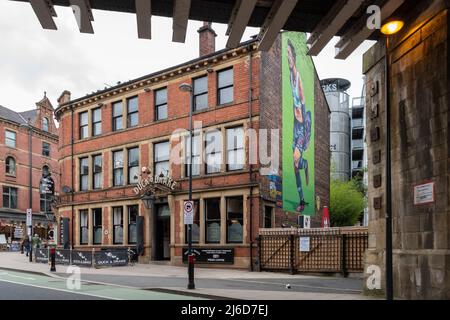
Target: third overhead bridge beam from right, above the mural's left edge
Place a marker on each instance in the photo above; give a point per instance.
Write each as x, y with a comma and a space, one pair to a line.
275, 21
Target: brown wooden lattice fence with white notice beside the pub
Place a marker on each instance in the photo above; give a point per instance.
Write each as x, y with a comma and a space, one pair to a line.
334, 250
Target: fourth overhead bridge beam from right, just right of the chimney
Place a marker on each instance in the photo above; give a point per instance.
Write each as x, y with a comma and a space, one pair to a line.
239, 19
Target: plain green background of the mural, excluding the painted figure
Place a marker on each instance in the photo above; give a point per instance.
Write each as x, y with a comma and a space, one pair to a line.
305, 68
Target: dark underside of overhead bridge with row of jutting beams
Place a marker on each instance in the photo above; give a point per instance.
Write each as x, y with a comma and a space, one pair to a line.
323, 18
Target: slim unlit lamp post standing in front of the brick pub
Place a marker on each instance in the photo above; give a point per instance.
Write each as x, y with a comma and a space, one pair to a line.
188, 88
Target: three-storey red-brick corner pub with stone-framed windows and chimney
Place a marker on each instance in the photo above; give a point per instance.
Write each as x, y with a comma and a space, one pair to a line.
108, 137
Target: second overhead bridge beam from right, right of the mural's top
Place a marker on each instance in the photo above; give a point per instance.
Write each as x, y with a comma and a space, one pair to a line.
339, 14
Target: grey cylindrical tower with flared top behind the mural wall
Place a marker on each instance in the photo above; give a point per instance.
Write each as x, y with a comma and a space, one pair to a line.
340, 127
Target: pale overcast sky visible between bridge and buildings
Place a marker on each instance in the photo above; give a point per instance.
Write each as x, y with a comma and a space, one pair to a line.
33, 60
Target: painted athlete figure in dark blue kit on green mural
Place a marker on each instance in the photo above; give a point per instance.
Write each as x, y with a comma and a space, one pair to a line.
302, 125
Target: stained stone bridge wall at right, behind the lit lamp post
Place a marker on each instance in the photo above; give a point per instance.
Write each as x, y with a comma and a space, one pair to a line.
420, 153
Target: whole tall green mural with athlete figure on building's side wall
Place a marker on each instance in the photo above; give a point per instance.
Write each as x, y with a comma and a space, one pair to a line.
298, 82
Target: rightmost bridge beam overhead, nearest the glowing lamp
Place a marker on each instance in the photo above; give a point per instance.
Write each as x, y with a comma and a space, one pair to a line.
353, 39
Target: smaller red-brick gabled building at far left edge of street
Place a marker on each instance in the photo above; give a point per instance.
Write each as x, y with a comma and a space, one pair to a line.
15, 161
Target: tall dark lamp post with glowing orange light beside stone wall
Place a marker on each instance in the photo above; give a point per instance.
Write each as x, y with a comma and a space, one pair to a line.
390, 27
